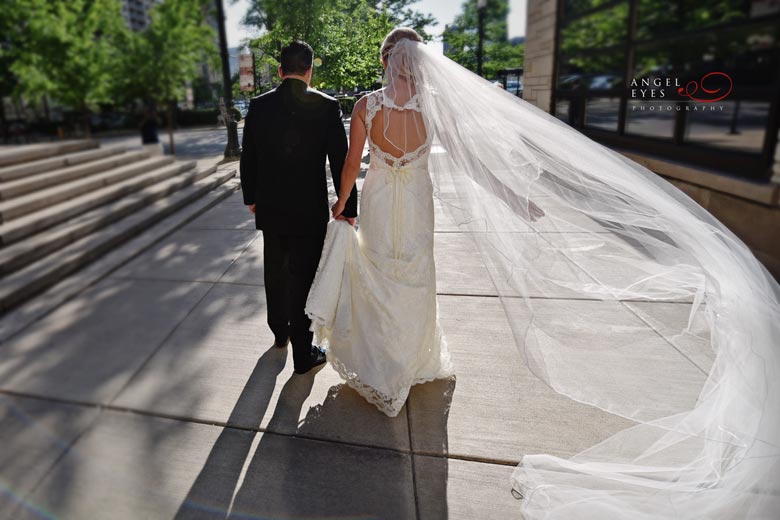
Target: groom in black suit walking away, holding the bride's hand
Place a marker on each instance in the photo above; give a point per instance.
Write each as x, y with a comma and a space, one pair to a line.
287, 135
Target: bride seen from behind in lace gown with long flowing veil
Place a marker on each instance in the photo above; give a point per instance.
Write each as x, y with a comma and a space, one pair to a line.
619, 253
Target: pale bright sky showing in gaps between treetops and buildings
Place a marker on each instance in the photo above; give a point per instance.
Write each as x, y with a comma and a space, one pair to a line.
444, 11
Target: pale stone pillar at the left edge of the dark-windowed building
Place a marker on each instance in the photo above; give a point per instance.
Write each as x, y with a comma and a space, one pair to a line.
539, 53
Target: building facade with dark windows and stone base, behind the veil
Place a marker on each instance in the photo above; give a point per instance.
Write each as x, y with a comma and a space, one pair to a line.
689, 89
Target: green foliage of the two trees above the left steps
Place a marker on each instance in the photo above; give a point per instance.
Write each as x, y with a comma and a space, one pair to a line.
81, 53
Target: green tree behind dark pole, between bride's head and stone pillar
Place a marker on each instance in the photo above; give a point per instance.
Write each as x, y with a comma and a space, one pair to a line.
461, 39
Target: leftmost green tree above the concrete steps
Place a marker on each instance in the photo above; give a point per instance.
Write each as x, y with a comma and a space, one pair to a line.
70, 51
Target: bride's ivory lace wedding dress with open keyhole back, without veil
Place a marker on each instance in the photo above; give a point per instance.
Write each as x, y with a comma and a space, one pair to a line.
373, 300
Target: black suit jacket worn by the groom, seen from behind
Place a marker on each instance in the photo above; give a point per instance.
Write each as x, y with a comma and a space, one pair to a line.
288, 132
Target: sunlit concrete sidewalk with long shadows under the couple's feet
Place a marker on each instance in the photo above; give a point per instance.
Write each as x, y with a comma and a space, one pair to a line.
156, 394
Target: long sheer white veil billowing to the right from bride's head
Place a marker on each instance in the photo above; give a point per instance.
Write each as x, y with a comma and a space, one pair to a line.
617, 243
